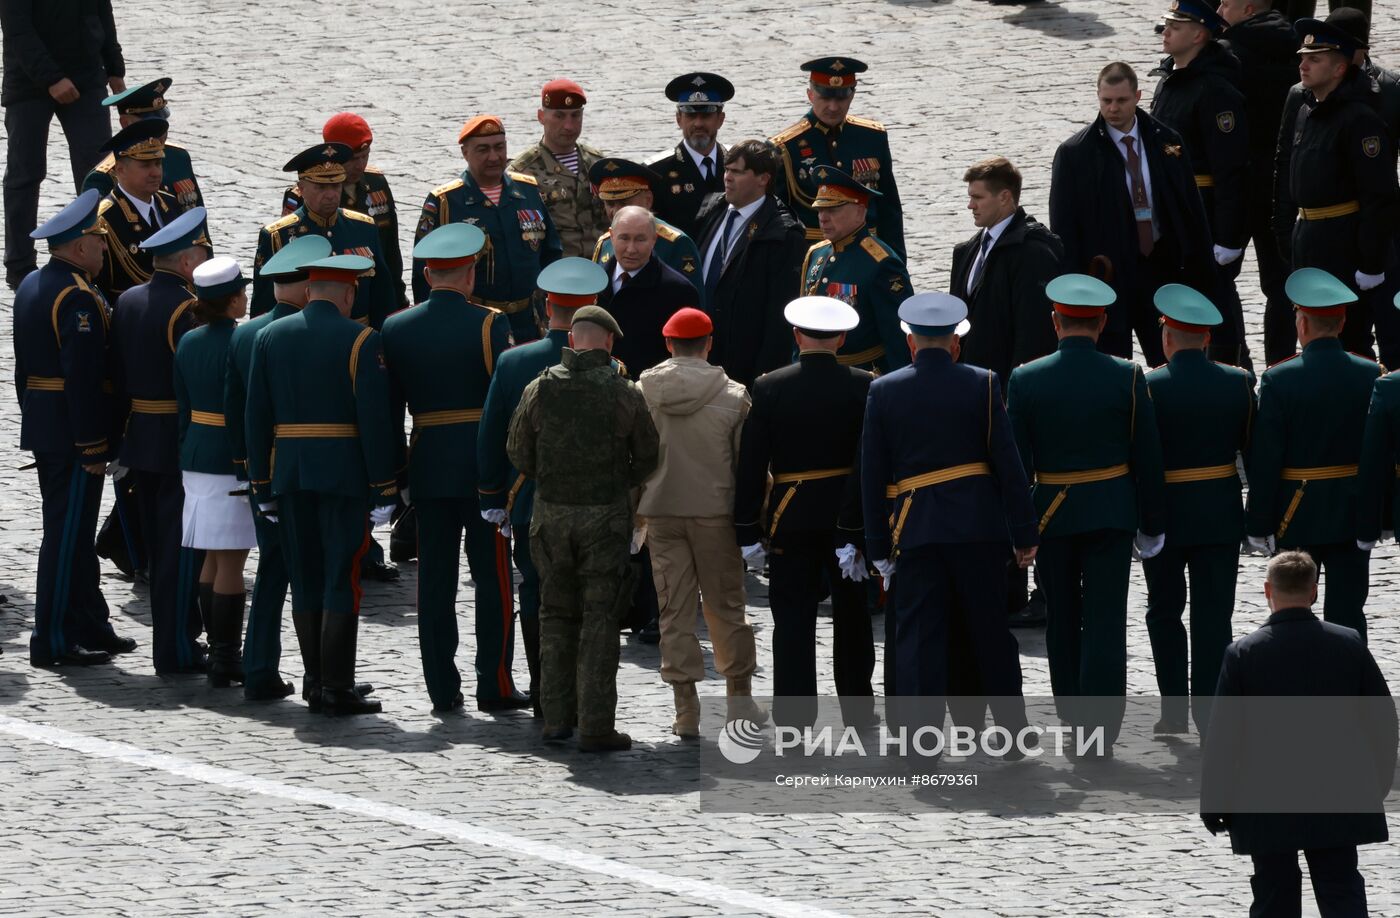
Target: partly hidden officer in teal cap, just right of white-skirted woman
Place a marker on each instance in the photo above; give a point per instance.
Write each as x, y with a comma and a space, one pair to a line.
262, 644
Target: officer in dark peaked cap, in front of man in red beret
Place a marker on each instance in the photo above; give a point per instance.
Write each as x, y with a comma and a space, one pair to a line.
321, 173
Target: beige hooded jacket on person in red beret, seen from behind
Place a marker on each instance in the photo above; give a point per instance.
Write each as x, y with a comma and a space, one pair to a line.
699, 414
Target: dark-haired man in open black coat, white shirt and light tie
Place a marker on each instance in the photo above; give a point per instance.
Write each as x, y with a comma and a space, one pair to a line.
752, 250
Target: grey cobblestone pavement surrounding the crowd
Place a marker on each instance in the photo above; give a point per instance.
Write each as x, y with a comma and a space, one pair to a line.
128, 794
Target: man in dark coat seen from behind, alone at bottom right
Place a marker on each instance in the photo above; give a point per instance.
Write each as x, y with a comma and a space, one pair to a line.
1294, 654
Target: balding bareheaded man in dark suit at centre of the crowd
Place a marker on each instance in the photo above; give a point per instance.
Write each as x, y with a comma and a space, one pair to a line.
642, 293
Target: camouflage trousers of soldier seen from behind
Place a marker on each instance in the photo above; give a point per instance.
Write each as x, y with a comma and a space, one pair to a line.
586, 584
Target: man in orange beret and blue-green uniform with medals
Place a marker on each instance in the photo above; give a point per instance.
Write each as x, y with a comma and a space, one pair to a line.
520, 234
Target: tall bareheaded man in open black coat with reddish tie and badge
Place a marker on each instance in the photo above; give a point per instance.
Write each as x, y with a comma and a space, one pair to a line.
1149, 230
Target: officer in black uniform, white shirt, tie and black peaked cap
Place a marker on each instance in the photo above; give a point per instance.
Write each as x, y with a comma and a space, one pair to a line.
695, 170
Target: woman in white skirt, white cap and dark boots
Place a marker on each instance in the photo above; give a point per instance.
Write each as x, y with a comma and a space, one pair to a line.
216, 520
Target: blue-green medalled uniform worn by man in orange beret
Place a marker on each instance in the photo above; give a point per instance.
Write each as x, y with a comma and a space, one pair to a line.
520, 241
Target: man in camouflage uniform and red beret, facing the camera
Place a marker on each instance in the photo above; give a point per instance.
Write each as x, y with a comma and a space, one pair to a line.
561, 164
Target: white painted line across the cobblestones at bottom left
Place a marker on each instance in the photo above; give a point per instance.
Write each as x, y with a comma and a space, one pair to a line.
701, 891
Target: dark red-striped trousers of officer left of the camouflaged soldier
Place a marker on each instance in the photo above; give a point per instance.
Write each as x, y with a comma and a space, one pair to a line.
442, 525
